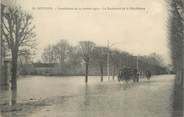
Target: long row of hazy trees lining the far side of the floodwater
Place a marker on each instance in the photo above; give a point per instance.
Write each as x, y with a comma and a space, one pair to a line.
72, 60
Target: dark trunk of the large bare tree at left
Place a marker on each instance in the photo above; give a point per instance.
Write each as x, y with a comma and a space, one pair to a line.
14, 70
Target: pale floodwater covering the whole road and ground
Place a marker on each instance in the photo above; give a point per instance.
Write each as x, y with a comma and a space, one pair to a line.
39, 96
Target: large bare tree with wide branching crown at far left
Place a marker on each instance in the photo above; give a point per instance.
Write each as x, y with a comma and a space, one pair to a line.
17, 31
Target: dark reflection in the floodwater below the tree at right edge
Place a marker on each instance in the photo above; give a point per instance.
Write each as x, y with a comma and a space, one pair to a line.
178, 102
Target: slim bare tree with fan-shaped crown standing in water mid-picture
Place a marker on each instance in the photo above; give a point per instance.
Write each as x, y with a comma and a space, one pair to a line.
86, 51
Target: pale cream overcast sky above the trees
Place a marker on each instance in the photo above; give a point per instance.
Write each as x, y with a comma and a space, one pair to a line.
138, 31
